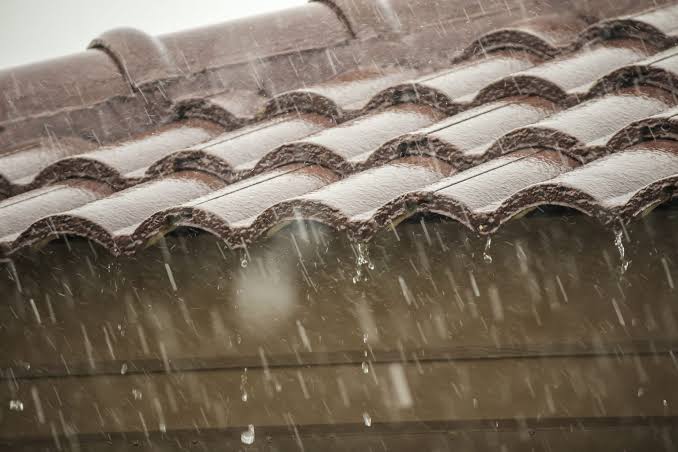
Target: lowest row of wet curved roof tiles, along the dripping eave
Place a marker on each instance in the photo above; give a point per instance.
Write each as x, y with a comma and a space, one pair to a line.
481, 198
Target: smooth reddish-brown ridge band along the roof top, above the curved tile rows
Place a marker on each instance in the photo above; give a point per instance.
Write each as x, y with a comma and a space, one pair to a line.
128, 82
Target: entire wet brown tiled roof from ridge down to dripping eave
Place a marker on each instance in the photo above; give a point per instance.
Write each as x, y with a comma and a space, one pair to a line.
345, 112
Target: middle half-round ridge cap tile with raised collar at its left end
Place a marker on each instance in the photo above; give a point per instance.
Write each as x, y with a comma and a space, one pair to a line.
145, 59
